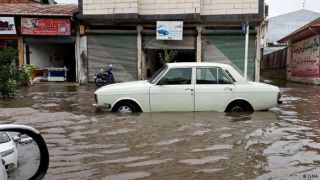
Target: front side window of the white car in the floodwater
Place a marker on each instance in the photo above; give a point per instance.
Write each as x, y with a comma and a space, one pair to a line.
177, 76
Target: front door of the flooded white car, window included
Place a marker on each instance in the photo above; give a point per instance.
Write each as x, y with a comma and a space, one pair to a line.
173, 92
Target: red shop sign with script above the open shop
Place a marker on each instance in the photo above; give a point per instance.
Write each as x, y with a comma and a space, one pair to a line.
45, 26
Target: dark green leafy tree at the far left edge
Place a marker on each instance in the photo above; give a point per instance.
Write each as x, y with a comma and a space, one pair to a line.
8, 72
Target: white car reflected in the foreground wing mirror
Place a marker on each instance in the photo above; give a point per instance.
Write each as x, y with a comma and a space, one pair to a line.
8, 150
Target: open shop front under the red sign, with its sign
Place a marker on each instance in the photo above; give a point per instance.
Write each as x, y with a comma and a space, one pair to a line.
50, 48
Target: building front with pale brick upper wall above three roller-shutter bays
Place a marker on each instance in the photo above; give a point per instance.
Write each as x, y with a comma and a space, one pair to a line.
125, 33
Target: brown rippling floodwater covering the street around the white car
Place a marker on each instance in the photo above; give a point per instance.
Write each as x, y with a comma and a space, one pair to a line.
283, 143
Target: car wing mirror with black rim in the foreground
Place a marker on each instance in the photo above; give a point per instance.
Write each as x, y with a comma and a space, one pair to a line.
24, 153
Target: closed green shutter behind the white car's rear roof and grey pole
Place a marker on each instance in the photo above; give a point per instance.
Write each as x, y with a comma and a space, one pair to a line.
229, 48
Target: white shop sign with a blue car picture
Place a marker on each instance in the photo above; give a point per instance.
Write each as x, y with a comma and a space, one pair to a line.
169, 30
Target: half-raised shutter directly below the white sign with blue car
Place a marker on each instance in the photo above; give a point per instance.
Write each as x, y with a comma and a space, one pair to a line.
188, 43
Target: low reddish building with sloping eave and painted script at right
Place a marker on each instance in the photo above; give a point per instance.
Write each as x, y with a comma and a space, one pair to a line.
303, 59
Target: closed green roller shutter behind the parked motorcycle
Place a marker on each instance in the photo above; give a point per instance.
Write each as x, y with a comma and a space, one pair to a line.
118, 50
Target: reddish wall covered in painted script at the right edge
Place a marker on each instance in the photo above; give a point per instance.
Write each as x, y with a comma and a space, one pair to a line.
305, 58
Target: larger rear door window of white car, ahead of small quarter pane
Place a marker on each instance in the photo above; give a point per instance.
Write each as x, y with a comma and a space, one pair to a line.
207, 75
